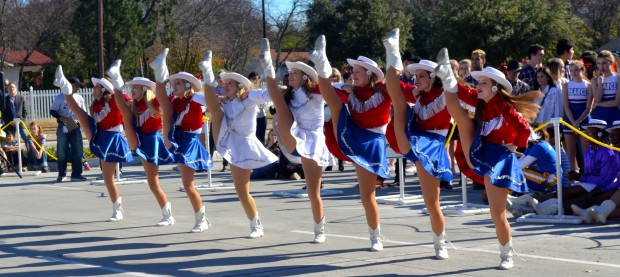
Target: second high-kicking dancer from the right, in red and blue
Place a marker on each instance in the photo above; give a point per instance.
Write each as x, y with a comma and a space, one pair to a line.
421, 130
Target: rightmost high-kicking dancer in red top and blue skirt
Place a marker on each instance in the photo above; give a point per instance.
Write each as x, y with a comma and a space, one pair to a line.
498, 127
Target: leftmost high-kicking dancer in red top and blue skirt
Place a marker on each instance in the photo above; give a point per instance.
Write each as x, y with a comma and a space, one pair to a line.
104, 129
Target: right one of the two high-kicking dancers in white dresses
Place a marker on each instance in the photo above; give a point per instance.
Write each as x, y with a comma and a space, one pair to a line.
300, 127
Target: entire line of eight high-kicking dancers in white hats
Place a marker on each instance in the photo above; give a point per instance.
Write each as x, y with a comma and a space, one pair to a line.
164, 129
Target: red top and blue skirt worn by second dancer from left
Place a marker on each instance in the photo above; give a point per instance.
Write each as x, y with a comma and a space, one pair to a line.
151, 145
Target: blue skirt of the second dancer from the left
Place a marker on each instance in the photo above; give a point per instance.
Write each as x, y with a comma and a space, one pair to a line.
152, 148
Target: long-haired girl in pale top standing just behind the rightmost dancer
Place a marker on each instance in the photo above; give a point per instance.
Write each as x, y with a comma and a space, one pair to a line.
551, 103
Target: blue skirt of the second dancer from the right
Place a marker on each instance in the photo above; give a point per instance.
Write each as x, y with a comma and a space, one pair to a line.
428, 148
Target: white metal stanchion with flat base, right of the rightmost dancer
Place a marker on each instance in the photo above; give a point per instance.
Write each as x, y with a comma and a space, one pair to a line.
560, 217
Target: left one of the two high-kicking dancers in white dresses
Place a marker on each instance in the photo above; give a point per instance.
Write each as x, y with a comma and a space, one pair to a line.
234, 127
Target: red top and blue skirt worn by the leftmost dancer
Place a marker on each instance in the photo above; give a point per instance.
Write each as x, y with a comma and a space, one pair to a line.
106, 126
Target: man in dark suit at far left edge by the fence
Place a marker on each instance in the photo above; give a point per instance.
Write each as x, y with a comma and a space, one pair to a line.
14, 107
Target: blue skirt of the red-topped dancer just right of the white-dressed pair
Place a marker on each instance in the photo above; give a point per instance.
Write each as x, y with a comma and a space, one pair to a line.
364, 147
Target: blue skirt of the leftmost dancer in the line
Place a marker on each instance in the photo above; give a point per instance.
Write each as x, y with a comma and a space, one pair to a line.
109, 146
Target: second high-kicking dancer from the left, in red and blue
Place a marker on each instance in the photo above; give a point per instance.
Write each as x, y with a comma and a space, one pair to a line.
142, 121
